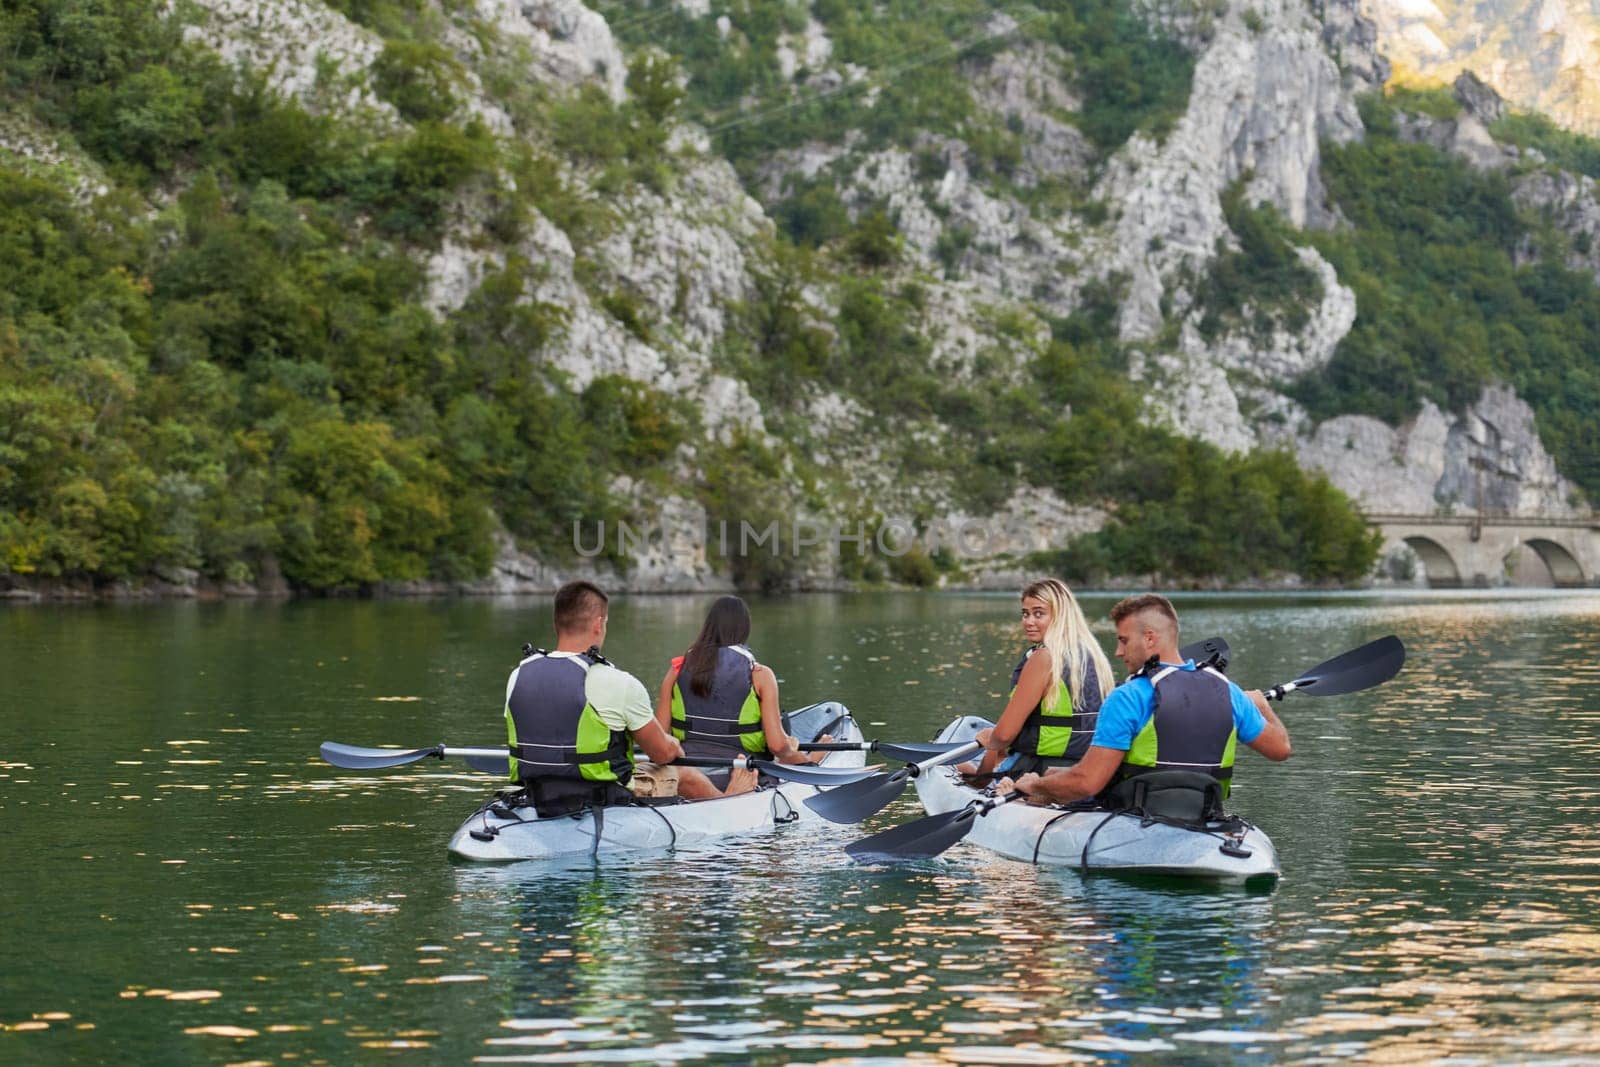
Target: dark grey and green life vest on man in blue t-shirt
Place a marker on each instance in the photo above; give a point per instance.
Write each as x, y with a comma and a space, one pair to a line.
1191, 729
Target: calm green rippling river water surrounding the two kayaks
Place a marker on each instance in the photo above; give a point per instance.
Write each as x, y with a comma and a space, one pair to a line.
185, 879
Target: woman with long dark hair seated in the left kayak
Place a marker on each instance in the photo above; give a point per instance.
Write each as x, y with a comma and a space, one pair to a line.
719, 701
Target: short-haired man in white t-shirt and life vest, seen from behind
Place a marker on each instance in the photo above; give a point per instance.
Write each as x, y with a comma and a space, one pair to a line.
574, 721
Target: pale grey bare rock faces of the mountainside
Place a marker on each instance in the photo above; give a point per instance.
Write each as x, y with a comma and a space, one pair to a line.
1273, 84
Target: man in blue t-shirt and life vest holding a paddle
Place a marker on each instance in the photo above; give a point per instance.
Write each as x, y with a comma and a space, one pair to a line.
1201, 714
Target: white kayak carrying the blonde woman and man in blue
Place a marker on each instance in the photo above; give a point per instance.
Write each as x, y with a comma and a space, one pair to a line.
1102, 841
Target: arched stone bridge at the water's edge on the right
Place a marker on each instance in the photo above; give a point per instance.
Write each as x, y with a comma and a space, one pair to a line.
1494, 549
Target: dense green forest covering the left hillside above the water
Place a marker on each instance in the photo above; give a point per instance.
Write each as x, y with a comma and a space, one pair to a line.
246, 380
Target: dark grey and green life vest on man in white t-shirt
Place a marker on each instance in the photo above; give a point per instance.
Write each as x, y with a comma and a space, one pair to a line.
556, 738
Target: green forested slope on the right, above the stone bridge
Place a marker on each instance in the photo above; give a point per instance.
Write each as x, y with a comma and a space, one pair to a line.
1449, 300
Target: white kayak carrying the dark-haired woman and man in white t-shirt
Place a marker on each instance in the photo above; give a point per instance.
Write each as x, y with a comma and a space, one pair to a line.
498, 833
